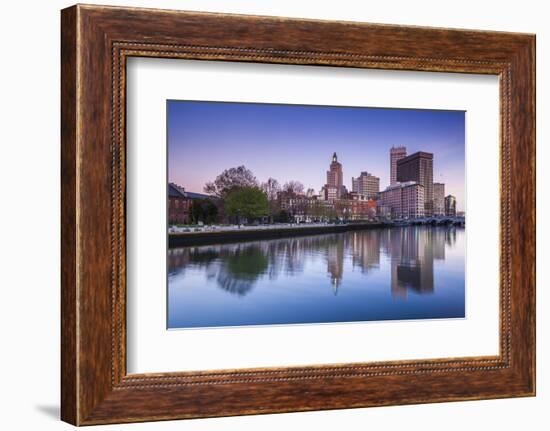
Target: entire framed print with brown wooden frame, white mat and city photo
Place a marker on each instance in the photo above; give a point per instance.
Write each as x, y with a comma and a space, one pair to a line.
322, 214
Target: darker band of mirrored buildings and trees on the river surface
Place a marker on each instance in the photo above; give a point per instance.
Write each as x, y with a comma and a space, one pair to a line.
237, 267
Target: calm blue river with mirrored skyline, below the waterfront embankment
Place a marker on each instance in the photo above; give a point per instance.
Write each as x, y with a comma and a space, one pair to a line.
412, 272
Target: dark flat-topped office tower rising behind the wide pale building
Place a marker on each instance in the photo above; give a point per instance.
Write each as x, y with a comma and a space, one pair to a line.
418, 167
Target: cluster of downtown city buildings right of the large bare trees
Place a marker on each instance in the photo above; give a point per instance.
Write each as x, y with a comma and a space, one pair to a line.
413, 194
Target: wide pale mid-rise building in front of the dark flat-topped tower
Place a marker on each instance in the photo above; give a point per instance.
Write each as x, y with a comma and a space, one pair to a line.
404, 200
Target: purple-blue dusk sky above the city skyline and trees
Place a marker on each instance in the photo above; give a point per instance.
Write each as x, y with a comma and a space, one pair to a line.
295, 142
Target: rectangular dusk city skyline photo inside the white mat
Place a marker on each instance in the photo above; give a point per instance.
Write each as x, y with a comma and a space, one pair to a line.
281, 214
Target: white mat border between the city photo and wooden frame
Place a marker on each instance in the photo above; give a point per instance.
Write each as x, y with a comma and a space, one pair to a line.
152, 348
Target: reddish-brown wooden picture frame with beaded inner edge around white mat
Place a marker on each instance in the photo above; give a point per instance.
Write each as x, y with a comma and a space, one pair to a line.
95, 43
